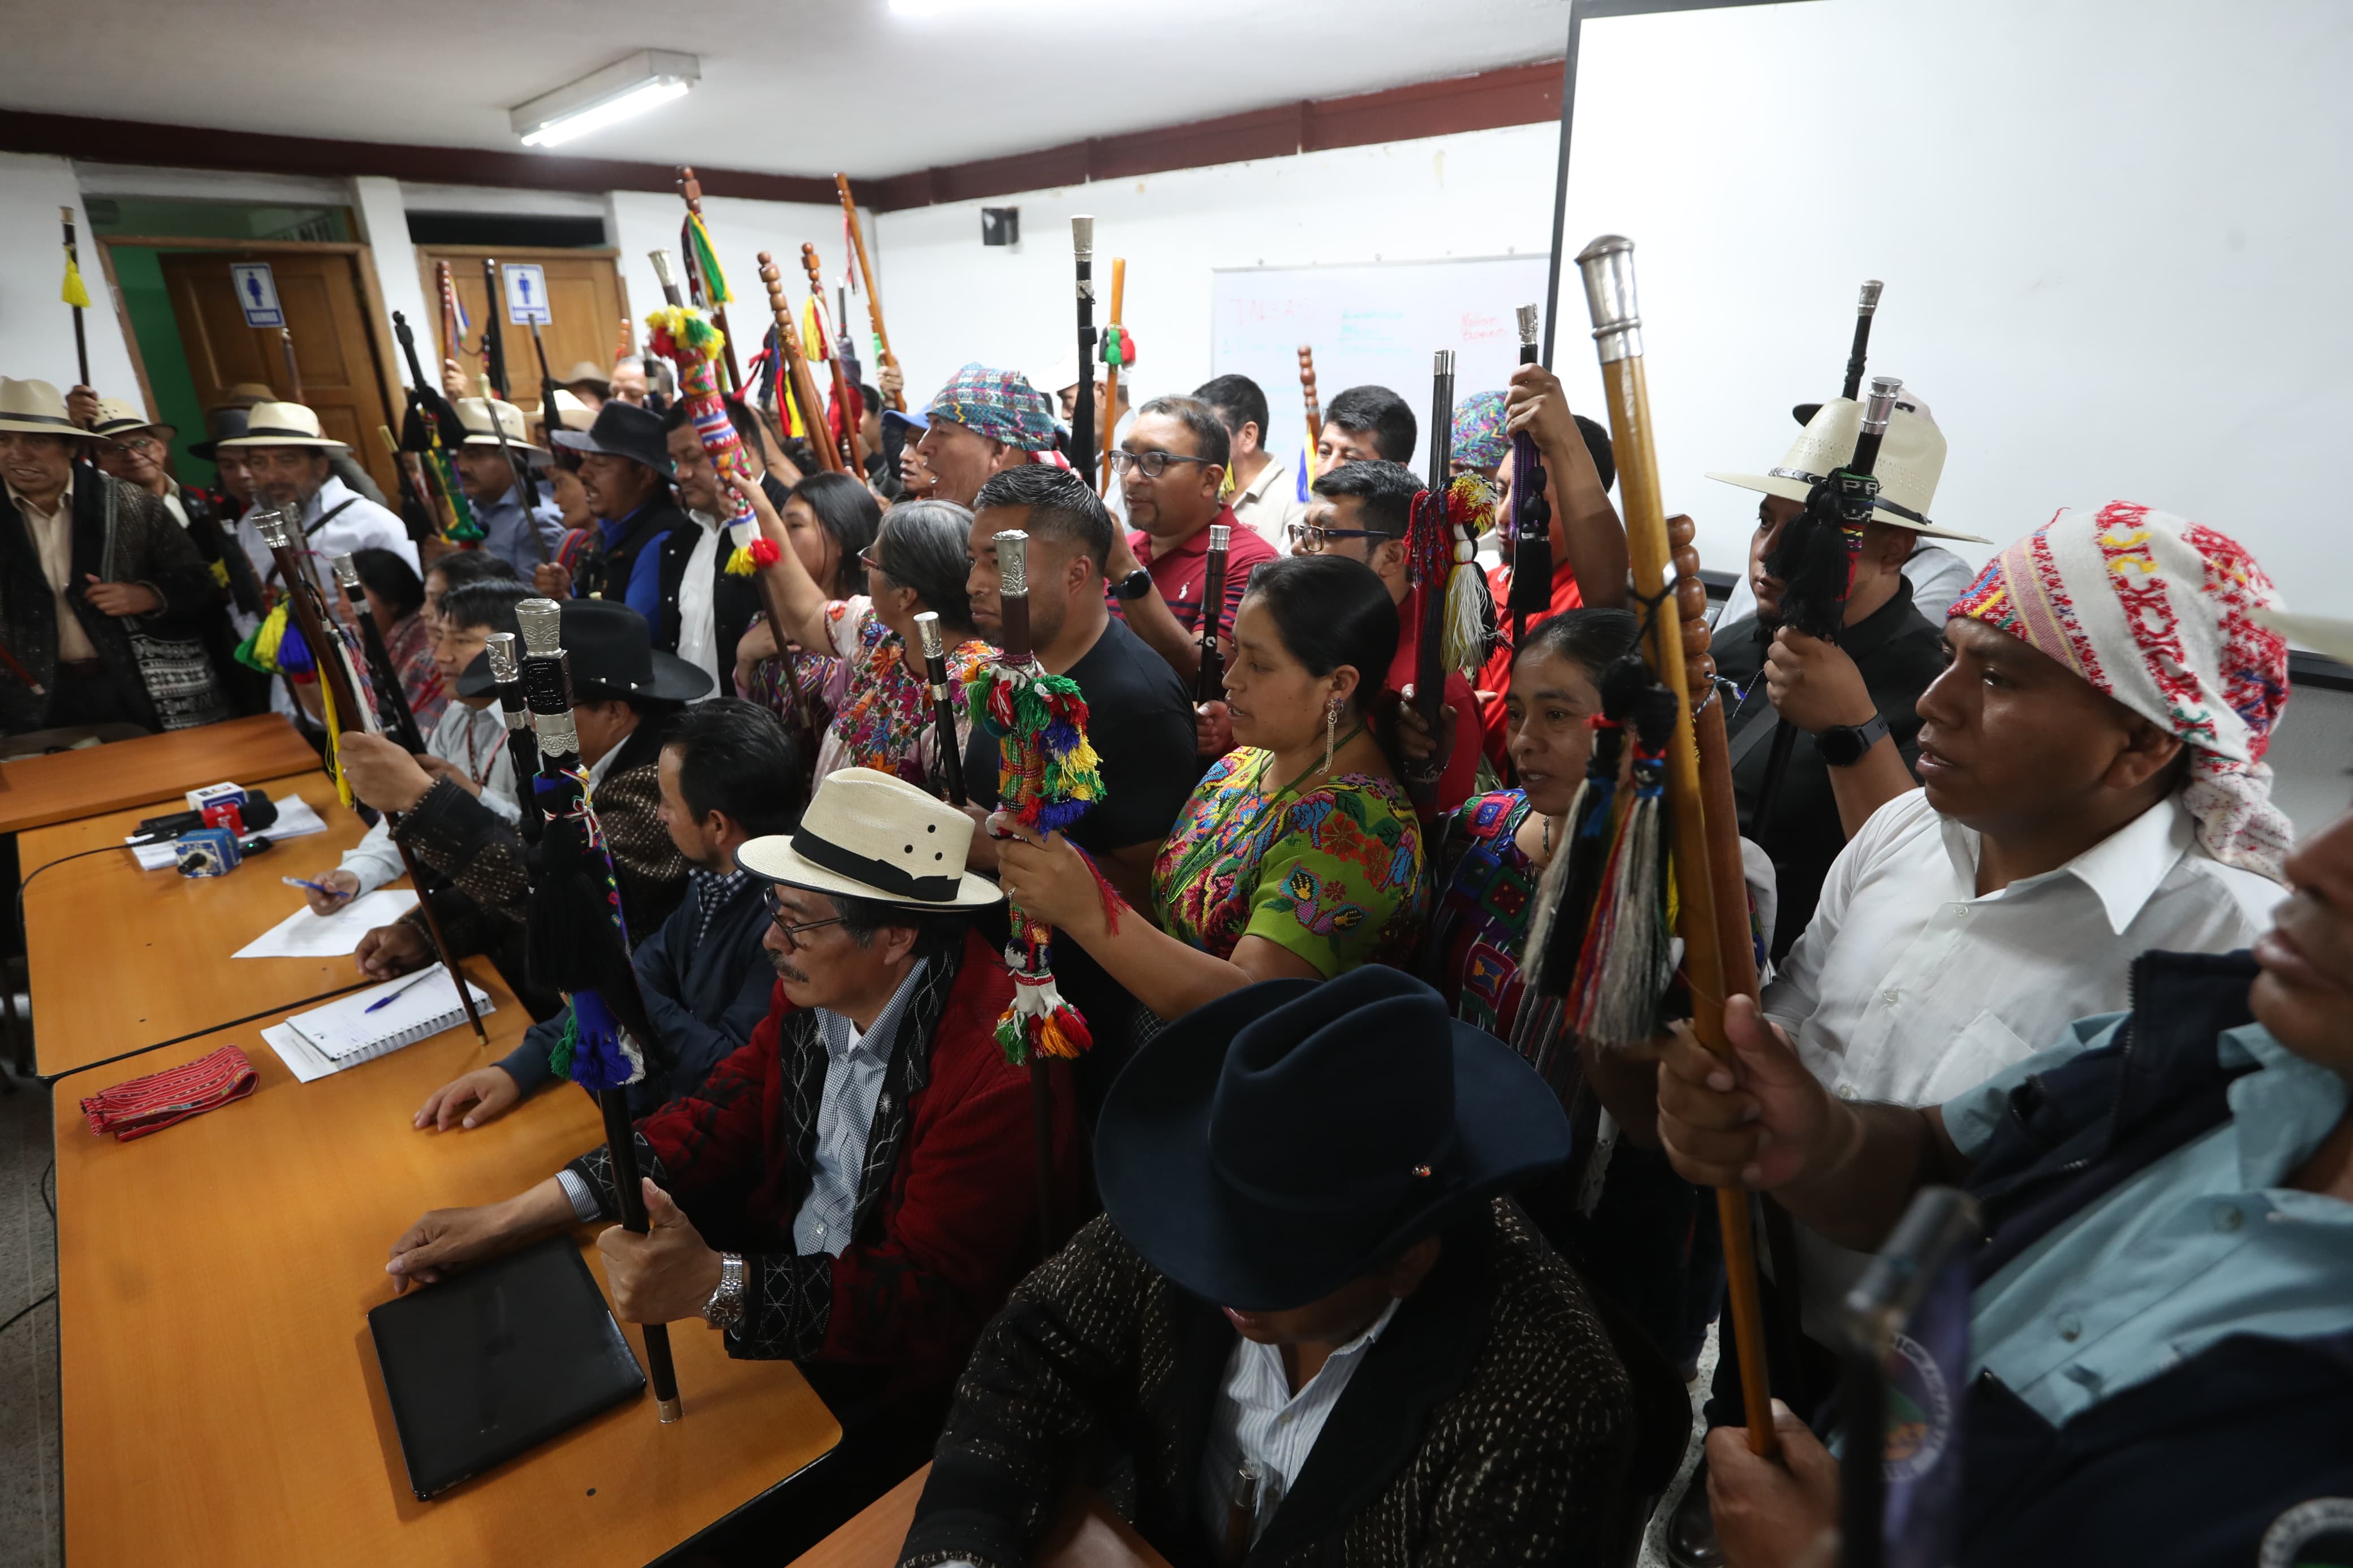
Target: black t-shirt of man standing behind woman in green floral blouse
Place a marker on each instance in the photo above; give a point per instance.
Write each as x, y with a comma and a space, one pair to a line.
1142, 728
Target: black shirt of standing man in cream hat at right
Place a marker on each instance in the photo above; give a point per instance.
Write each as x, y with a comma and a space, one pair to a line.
1900, 655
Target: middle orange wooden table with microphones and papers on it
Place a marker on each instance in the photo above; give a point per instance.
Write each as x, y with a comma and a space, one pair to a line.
126, 958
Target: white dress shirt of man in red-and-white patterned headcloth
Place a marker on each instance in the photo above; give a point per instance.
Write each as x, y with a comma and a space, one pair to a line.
1912, 989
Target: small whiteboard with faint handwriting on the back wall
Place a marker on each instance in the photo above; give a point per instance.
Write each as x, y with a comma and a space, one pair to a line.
1375, 323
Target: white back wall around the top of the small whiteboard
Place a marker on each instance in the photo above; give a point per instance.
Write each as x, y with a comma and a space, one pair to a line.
952, 300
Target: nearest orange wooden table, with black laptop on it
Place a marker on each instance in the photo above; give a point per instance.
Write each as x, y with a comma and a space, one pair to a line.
222, 1400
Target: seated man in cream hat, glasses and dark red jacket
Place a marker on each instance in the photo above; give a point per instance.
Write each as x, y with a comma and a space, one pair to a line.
853, 1188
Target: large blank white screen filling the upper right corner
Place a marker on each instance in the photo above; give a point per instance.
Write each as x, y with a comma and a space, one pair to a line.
2112, 234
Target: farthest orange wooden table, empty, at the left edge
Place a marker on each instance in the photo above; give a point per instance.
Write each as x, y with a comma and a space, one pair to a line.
58, 789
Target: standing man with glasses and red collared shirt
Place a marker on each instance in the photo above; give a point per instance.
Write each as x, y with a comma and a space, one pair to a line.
1173, 469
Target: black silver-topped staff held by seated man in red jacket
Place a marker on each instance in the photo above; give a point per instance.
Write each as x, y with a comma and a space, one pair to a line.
582, 953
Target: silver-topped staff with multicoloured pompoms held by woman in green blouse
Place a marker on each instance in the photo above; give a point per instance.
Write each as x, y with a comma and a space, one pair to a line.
1048, 779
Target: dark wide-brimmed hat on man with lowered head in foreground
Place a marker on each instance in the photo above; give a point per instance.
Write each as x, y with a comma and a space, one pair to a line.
1277, 1144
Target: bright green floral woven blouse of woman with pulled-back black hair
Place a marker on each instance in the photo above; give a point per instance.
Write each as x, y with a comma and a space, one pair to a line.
1333, 876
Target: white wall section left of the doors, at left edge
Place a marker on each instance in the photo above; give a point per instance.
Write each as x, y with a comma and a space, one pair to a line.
36, 328
